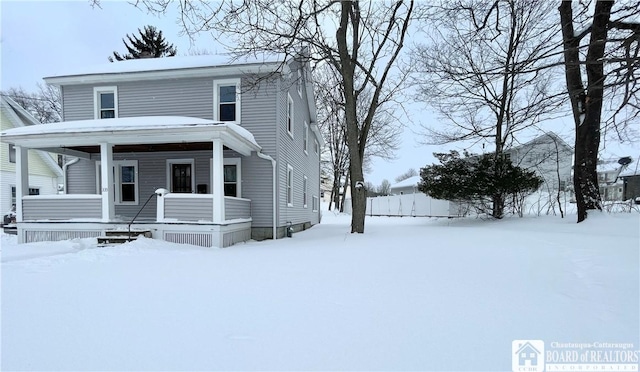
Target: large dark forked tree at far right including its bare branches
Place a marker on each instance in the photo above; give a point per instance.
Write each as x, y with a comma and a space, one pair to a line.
603, 69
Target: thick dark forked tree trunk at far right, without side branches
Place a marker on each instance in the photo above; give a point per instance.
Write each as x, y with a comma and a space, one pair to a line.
586, 104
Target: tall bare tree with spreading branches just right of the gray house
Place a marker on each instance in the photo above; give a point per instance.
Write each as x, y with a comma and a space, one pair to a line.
360, 40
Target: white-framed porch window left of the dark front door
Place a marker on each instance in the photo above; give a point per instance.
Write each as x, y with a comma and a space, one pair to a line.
125, 179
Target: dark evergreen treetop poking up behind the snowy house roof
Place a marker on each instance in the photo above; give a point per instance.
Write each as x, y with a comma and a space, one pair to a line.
149, 44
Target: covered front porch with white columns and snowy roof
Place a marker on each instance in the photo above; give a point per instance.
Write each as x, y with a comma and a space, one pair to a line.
122, 185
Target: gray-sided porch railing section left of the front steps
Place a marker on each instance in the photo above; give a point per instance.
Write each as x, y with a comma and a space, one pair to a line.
61, 207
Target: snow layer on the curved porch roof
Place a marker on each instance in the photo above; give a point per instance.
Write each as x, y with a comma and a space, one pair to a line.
125, 124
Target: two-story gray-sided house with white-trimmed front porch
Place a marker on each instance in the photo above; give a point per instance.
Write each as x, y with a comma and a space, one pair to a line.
203, 150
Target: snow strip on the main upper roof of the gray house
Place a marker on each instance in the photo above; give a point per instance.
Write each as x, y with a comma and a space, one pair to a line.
168, 63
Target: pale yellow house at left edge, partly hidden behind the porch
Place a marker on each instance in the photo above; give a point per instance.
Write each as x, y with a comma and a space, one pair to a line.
44, 175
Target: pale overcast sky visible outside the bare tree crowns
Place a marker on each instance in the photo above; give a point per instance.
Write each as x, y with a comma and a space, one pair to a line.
42, 38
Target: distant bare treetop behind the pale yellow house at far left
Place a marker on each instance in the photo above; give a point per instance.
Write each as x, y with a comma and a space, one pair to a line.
44, 105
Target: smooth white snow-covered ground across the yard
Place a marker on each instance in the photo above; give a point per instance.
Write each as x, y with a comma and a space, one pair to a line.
409, 294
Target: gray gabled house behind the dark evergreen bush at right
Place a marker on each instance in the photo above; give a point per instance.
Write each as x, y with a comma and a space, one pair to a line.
549, 156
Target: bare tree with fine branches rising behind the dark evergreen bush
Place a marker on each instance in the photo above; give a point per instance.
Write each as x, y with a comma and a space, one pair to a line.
480, 70
